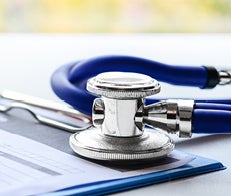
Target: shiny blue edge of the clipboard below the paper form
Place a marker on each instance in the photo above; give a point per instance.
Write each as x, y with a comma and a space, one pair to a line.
199, 165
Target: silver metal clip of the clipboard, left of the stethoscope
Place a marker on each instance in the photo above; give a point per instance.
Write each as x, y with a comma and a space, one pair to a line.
22, 101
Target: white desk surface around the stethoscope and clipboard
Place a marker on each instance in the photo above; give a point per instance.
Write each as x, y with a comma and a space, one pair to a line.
28, 60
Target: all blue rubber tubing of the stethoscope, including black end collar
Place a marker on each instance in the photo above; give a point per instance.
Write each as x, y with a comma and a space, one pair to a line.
209, 116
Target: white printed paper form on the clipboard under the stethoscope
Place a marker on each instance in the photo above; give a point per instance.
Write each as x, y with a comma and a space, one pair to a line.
28, 167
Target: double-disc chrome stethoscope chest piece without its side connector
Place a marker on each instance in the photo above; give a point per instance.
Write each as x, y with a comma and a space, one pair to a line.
119, 133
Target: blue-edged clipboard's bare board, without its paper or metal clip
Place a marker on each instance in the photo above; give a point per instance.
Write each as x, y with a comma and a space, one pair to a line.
20, 122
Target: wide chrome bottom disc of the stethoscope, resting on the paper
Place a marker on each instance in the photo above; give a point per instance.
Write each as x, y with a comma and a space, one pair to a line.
95, 145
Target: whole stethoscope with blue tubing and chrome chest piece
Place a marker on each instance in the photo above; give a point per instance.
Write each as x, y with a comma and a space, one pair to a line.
122, 112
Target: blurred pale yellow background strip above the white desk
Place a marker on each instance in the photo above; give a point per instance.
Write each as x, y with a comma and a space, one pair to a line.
115, 16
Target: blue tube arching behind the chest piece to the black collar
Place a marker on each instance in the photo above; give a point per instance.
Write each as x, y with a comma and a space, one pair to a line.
177, 75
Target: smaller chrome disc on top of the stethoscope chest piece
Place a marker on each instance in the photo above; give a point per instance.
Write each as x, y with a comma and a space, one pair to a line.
121, 85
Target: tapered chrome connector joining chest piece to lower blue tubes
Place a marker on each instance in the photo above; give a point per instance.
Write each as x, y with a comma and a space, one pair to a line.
173, 116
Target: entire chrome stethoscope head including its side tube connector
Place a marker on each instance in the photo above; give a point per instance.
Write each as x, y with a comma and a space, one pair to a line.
121, 115
